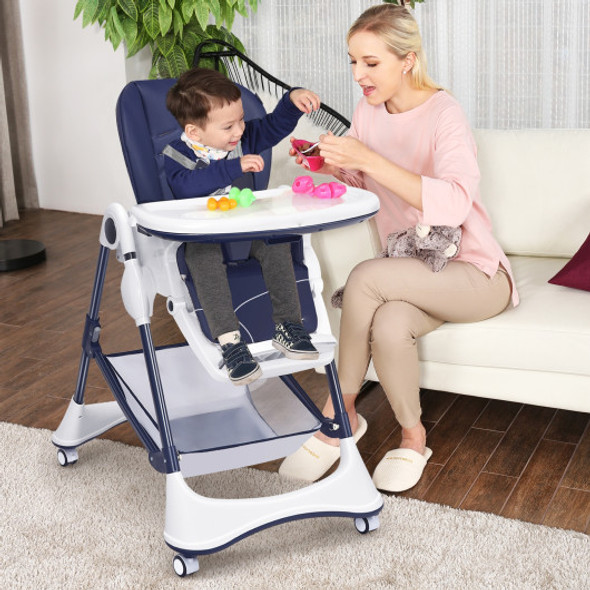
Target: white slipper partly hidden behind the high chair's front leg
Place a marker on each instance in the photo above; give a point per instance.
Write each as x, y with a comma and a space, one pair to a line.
314, 457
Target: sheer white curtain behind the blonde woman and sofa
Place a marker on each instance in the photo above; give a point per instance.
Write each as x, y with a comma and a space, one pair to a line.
511, 63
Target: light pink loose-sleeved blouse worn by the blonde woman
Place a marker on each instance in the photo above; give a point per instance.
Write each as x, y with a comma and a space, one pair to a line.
435, 141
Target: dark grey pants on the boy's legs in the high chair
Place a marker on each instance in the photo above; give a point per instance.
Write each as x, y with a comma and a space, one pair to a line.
209, 274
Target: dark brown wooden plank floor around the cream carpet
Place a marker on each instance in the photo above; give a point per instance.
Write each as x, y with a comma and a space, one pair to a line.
514, 460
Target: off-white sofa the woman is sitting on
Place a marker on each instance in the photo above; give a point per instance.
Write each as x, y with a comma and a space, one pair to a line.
536, 187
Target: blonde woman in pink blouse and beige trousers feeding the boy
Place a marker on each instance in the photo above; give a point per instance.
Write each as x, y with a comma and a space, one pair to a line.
410, 144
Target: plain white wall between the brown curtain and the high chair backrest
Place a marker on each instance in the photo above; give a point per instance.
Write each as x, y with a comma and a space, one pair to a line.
73, 78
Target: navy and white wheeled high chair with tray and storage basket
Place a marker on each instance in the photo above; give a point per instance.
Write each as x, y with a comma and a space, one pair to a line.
188, 415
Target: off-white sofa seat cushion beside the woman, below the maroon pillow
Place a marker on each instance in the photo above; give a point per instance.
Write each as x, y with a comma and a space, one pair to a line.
549, 331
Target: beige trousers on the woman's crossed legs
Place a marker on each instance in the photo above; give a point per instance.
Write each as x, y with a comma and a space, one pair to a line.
389, 302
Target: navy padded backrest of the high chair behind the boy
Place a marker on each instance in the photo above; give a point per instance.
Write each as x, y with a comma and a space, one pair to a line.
146, 127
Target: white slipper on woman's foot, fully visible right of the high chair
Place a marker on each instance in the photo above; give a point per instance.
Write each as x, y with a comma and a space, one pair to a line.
400, 470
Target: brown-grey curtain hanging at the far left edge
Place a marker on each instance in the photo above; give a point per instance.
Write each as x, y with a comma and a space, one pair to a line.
18, 189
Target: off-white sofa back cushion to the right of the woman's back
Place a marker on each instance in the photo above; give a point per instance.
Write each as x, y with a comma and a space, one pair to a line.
536, 188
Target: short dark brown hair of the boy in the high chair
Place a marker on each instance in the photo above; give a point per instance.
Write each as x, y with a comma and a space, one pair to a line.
197, 92
